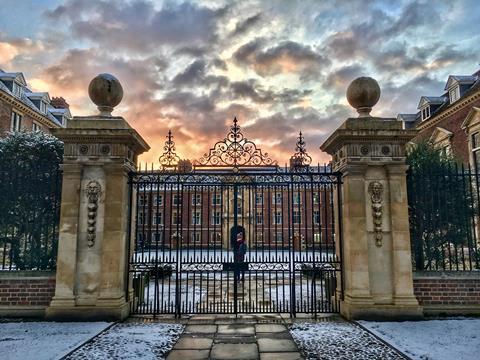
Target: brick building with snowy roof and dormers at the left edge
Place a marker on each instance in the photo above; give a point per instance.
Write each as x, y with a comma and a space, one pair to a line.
21, 108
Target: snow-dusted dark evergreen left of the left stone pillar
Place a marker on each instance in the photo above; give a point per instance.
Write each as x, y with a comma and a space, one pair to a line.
29, 198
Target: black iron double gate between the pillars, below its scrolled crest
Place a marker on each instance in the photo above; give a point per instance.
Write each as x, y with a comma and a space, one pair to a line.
184, 239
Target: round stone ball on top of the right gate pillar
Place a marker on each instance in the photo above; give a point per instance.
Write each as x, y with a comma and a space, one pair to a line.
362, 94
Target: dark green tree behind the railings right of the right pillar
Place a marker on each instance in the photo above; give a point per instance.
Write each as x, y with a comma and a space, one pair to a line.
442, 209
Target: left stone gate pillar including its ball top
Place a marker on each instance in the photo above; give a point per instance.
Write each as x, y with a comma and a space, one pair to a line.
100, 151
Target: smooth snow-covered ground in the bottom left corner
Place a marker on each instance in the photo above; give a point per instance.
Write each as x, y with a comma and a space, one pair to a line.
44, 340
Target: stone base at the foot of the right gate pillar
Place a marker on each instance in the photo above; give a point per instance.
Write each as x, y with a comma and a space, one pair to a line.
380, 312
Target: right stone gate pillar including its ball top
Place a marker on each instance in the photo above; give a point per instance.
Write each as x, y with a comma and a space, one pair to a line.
370, 152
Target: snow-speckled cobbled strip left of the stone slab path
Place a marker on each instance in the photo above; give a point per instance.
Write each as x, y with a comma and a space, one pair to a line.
131, 340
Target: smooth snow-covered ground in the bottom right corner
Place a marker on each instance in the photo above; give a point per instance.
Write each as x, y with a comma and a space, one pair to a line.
443, 339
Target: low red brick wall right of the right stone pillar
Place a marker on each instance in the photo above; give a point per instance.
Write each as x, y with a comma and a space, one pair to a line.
448, 293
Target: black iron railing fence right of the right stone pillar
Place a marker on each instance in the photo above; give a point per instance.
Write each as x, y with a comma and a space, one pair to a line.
444, 218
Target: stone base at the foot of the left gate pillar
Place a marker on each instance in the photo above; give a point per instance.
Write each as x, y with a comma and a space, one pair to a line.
114, 312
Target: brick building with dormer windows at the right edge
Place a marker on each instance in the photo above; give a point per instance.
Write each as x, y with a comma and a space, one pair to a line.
442, 119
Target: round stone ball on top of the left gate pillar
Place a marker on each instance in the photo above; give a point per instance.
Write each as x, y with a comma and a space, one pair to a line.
106, 92
